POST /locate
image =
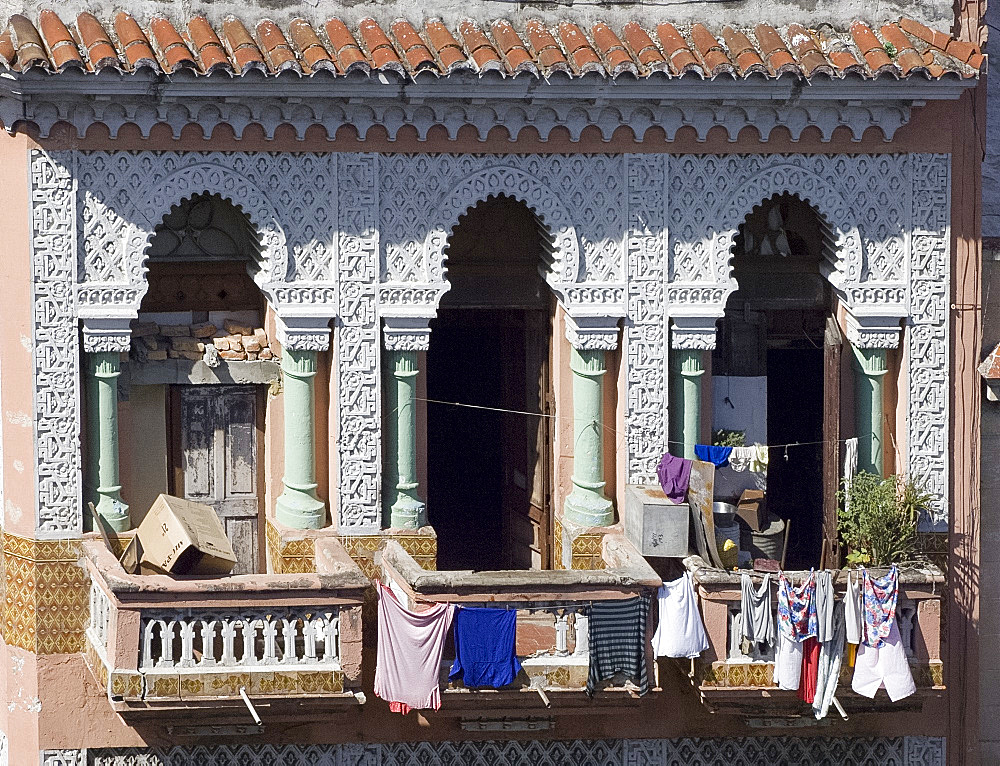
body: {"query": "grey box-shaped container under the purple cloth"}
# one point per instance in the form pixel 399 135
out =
pixel 653 524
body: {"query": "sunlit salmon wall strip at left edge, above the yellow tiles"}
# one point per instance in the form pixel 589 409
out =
pixel 16 389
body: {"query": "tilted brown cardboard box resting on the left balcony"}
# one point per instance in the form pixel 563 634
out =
pixel 183 537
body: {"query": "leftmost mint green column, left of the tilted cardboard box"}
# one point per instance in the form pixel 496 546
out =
pixel 103 369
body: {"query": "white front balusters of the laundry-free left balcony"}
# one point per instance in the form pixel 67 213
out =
pixel 195 639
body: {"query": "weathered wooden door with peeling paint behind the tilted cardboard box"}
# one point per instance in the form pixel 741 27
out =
pixel 216 449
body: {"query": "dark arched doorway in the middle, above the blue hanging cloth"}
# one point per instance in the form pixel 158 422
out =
pixel 489 469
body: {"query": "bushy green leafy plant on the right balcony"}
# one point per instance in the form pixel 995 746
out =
pixel 878 518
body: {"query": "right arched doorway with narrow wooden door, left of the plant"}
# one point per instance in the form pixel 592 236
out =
pixel 776 371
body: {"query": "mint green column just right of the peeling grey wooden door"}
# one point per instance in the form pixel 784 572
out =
pixel 298 506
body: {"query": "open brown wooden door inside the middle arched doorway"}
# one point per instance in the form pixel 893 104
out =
pixel 527 436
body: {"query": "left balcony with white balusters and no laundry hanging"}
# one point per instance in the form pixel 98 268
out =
pixel 160 645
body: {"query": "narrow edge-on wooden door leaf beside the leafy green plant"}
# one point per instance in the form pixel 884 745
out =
pixel 832 346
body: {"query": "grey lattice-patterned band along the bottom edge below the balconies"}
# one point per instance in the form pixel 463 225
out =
pixel 735 751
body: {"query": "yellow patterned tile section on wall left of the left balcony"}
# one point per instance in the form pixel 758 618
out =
pixel 46 598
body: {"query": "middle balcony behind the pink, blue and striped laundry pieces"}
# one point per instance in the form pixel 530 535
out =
pixel 552 607
